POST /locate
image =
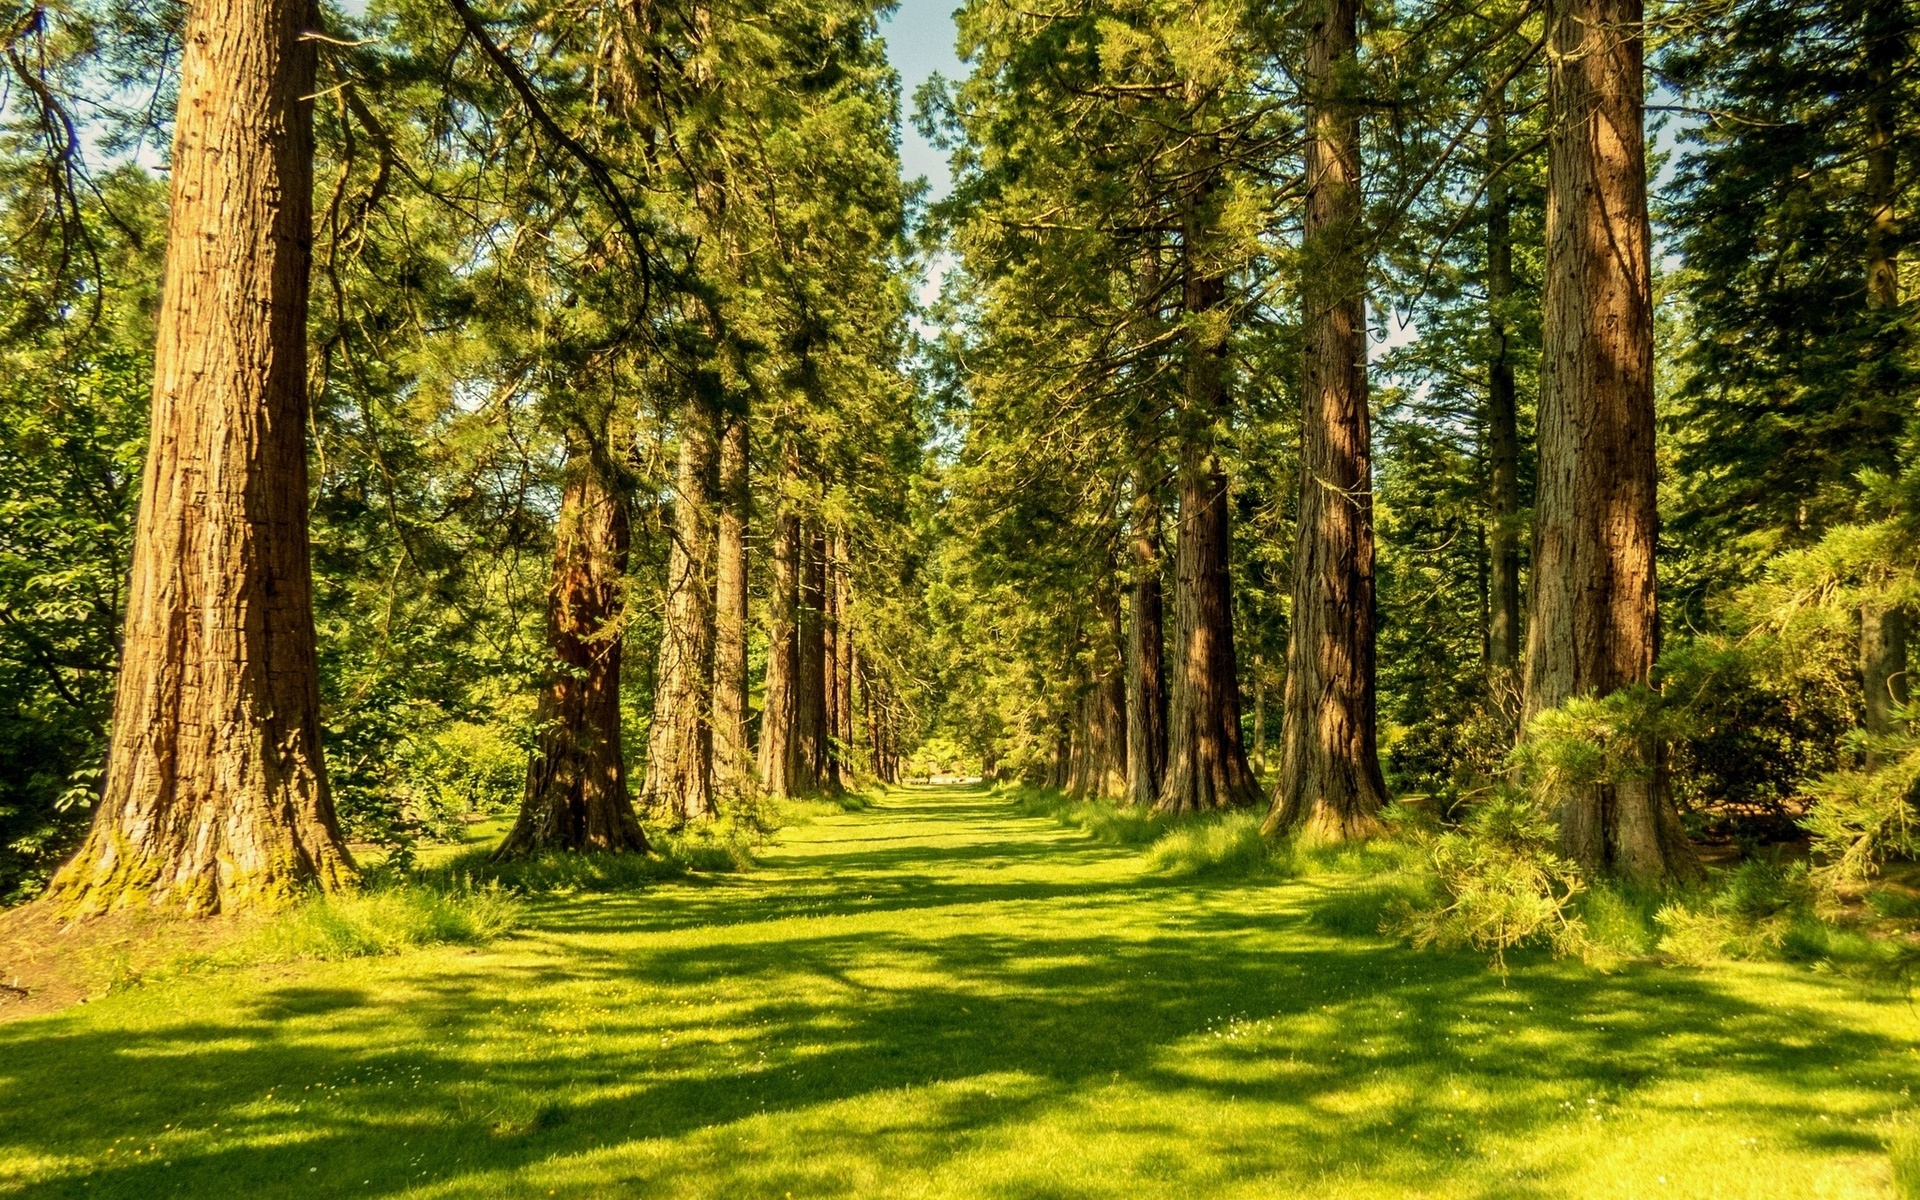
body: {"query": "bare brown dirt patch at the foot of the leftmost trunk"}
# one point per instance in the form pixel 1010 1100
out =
pixel 49 963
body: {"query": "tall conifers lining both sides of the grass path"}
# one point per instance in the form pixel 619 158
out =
pixel 535 408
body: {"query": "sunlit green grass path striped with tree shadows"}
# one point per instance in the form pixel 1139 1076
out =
pixel 944 997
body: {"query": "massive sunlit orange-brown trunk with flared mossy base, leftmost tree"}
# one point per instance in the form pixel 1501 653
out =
pixel 216 792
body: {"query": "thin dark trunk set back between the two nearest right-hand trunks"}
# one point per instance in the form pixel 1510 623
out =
pixel 1502 410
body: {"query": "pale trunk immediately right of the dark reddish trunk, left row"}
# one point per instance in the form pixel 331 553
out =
pixel 681 756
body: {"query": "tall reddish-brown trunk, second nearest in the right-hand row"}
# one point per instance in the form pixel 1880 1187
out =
pixel 1332 784
